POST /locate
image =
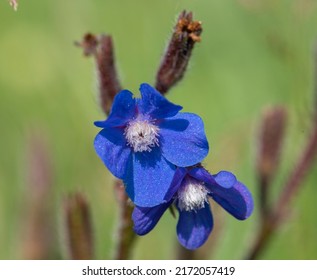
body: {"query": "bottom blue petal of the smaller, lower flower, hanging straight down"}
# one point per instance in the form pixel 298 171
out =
pixel 193 228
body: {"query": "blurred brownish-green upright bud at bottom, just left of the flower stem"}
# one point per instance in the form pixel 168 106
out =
pixel 78 227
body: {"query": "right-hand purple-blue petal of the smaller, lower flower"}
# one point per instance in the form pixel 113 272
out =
pixel 236 200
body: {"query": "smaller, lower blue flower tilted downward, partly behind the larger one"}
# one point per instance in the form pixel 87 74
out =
pixel 189 191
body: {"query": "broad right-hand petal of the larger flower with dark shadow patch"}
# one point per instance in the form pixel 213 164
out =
pixel 183 139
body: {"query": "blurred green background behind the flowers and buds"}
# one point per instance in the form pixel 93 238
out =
pixel 253 54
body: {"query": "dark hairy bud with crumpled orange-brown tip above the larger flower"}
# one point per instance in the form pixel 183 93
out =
pixel 175 60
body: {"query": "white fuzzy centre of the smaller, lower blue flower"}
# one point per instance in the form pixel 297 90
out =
pixel 192 195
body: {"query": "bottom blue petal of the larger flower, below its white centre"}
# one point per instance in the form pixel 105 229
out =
pixel 149 178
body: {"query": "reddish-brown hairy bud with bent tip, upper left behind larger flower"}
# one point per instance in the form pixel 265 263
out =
pixel 101 47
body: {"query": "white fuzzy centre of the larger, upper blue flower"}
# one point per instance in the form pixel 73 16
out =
pixel 142 135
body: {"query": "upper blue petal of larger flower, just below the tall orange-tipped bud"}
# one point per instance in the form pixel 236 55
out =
pixel 155 104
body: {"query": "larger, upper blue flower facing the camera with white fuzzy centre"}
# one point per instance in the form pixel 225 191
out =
pixel 144 138
